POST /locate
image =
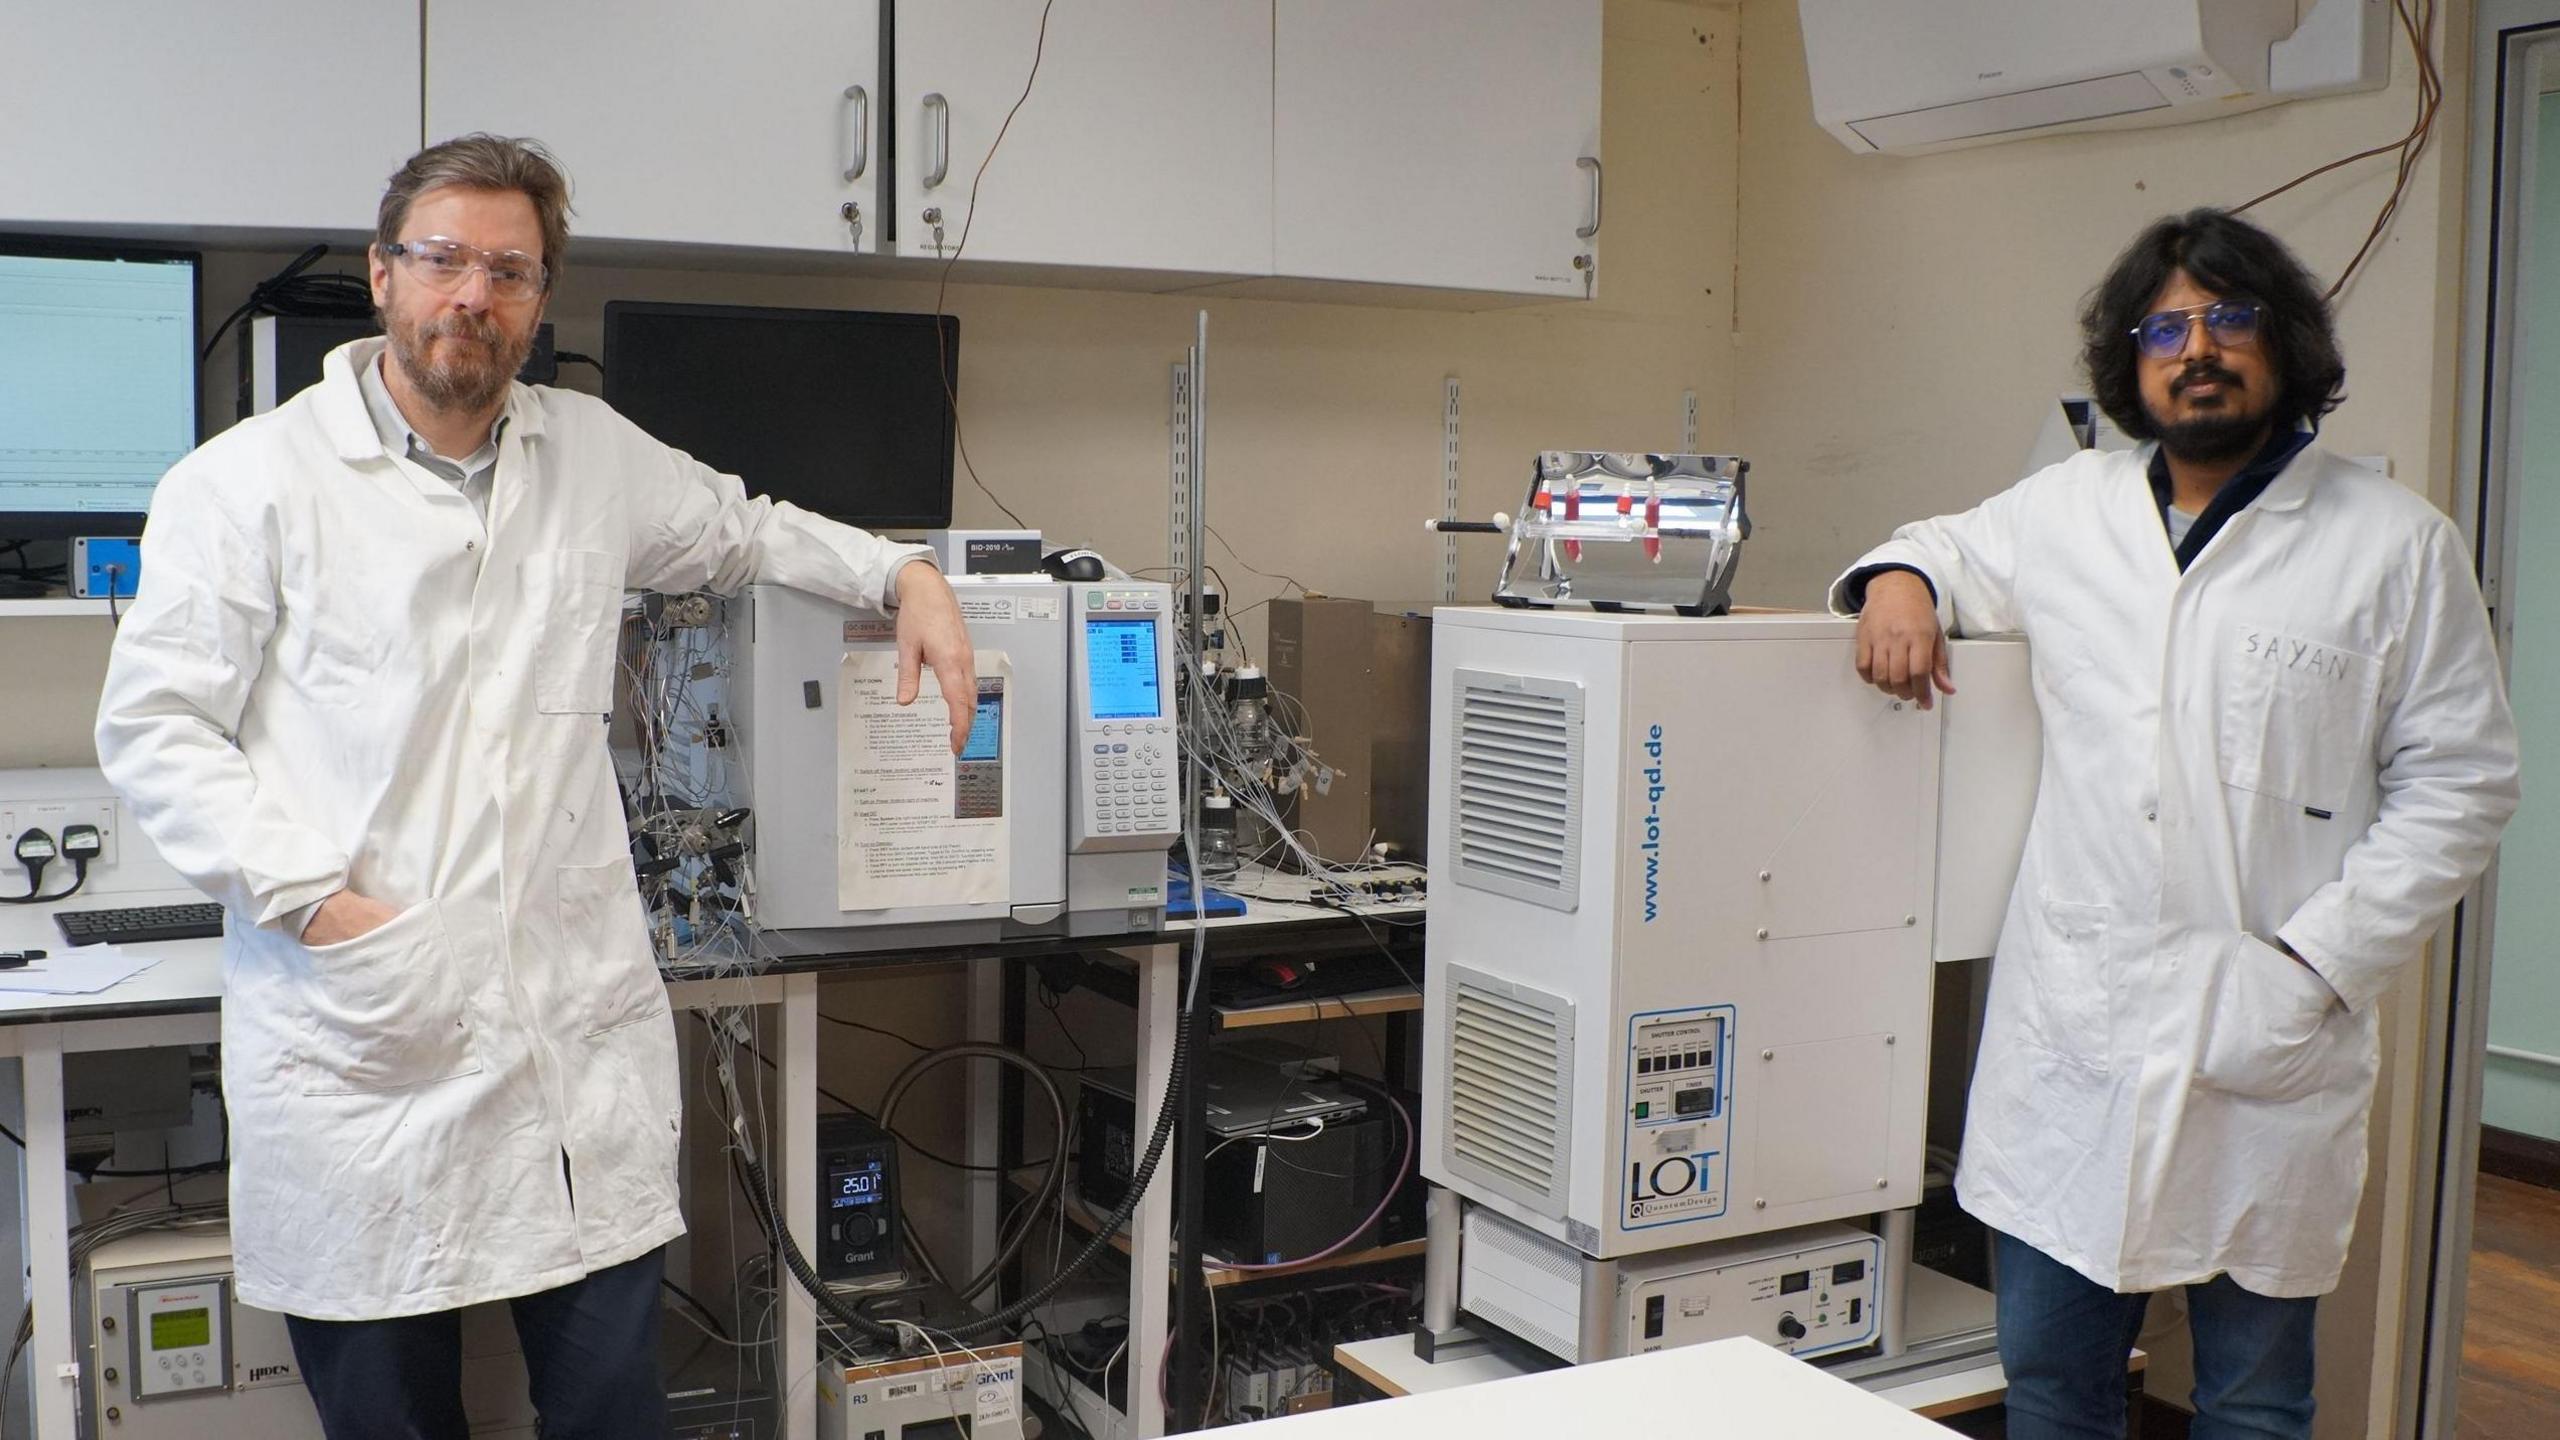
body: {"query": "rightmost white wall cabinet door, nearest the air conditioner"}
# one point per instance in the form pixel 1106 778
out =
pixel 1440 142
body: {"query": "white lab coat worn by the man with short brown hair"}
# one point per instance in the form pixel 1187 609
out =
pixel 337 678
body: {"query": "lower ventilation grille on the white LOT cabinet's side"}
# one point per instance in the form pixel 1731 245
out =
pixel 1509 1088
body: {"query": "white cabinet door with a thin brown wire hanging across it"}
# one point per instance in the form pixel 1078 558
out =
pixel 1146 142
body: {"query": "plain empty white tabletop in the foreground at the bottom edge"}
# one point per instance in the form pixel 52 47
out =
pixel 1729 1387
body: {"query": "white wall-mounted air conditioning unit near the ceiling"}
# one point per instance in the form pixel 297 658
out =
pixel 1911 78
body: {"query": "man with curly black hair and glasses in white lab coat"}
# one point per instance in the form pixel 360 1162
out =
pixel 2277 752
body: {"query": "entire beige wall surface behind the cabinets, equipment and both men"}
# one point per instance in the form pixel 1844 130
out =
pixel 1896 327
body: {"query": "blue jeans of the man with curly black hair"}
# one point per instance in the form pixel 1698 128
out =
pixel 2065 1344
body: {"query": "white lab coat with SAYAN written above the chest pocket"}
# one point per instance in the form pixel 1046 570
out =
pixel 2303 737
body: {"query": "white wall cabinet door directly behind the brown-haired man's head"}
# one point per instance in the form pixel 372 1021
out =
pixel 746 127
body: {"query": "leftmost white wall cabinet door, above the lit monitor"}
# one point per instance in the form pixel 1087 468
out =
pixel 252 114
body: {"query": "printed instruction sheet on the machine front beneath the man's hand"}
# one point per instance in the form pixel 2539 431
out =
pixel 918 826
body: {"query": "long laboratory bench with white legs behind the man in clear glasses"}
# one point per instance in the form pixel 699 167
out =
pixel 178 1003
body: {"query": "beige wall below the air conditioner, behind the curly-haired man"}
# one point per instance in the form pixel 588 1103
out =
pixel 1903 319
